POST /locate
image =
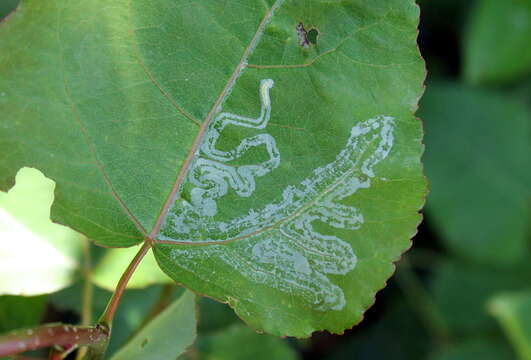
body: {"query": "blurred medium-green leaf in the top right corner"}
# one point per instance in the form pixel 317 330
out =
pixel 496 45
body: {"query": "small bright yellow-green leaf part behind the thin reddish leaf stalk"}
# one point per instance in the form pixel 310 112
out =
pixel 111 266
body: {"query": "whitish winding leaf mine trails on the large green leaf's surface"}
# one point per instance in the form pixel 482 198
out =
pixel 277 245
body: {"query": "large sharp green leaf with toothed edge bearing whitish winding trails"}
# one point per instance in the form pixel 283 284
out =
pixel 293 217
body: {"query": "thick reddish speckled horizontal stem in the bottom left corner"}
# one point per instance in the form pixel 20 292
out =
pixel 44 336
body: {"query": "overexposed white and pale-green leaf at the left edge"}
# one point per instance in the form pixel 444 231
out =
pixel 44 256
